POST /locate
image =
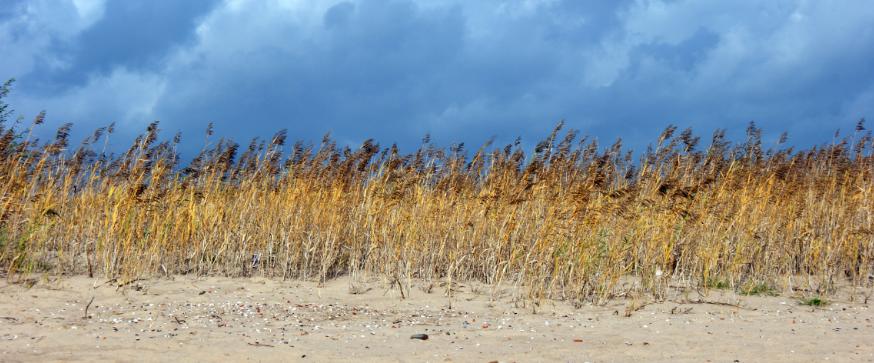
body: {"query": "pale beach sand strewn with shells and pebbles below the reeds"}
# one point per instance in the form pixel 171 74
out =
pixel 188 319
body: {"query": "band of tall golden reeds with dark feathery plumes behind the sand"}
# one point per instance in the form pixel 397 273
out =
pixel 571 220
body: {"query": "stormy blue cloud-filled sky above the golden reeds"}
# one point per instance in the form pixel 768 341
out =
pixel 459 70
